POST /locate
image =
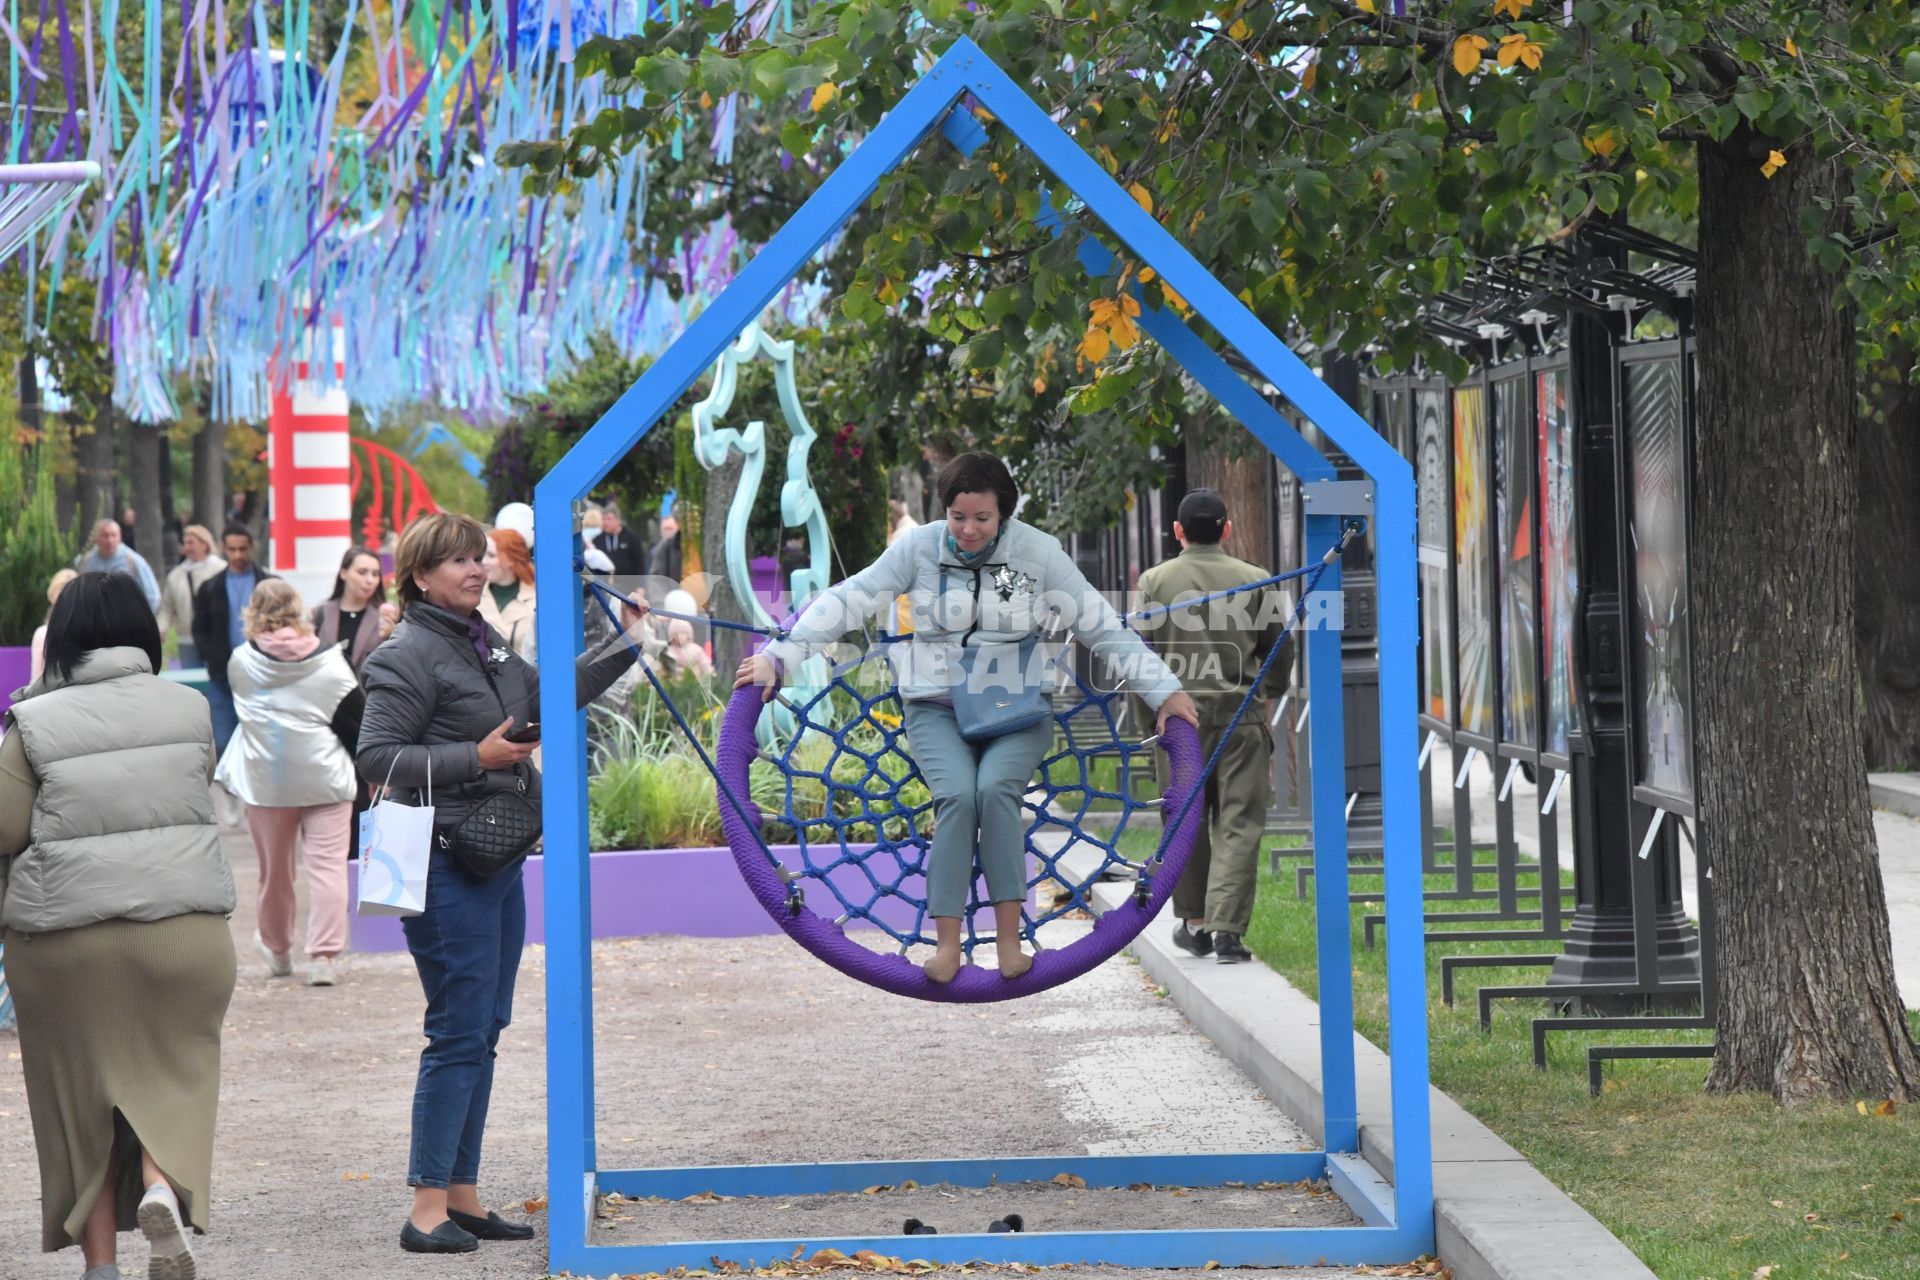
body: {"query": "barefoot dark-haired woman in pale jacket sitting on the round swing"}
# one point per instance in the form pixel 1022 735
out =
pixel 982 588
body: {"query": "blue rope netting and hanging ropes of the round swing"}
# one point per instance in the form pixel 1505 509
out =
pixel 846 794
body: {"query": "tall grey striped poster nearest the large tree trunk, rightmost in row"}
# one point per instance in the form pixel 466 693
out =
pixel 1664 669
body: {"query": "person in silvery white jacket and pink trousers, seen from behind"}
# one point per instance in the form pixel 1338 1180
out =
pixel 293 765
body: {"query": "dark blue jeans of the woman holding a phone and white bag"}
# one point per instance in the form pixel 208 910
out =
pixel 468 949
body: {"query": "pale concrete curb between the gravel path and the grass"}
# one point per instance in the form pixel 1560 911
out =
pixel 1497 1216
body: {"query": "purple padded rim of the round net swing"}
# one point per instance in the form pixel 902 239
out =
pixel 896 974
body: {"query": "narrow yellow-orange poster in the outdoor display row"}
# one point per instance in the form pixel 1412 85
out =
pixel 1474 563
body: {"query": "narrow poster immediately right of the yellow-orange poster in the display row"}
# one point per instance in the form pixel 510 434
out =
pixel 1514 515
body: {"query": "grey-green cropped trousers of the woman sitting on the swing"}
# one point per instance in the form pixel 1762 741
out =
pixel 976 794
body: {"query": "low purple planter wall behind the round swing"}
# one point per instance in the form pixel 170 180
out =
pixel 686 891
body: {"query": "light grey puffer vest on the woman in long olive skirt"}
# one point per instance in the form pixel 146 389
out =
pixel 124 820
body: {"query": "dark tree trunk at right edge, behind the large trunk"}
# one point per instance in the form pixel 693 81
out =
pixel 1886 573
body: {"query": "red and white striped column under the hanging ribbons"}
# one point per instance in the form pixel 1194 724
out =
pixel 310 465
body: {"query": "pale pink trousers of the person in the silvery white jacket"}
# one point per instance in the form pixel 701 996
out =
pixel 322 836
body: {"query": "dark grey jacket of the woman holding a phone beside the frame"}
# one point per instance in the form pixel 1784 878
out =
pixel 431 699
